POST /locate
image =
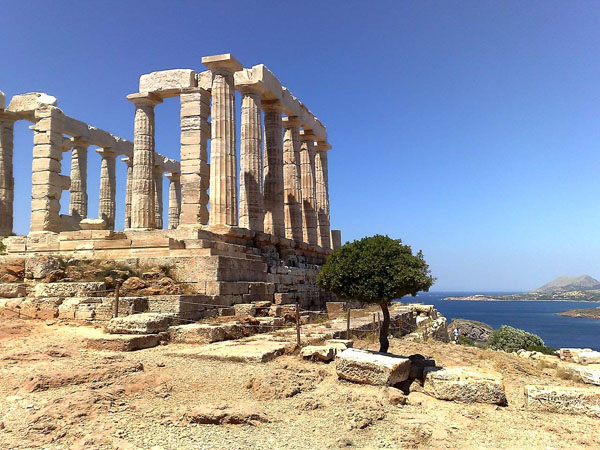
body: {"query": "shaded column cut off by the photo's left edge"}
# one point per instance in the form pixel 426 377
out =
pixel 7 182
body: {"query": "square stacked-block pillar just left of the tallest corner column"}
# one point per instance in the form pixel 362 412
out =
pixel 195 173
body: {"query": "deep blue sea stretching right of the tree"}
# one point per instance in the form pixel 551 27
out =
pixel 537 317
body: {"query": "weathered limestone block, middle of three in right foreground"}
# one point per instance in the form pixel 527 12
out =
pixel 464 384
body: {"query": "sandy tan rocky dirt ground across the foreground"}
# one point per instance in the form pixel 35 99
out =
pixel 56 394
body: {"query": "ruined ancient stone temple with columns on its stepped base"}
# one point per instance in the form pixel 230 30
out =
pixel 233 234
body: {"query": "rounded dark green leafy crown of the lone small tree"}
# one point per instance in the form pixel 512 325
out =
pixel 375 269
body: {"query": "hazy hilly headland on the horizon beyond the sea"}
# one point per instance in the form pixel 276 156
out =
pixel 582 288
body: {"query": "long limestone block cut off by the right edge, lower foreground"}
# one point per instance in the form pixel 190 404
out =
pixel 561 399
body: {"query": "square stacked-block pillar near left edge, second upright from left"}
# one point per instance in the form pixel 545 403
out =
pixel 47 182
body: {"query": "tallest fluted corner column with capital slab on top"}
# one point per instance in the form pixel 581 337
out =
pixel 223 172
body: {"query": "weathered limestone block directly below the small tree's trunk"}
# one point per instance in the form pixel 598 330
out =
pixel 369 367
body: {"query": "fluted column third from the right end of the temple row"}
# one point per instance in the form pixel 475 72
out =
pixel 292 193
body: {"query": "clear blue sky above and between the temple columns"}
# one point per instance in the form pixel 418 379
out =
pixel 470 129
